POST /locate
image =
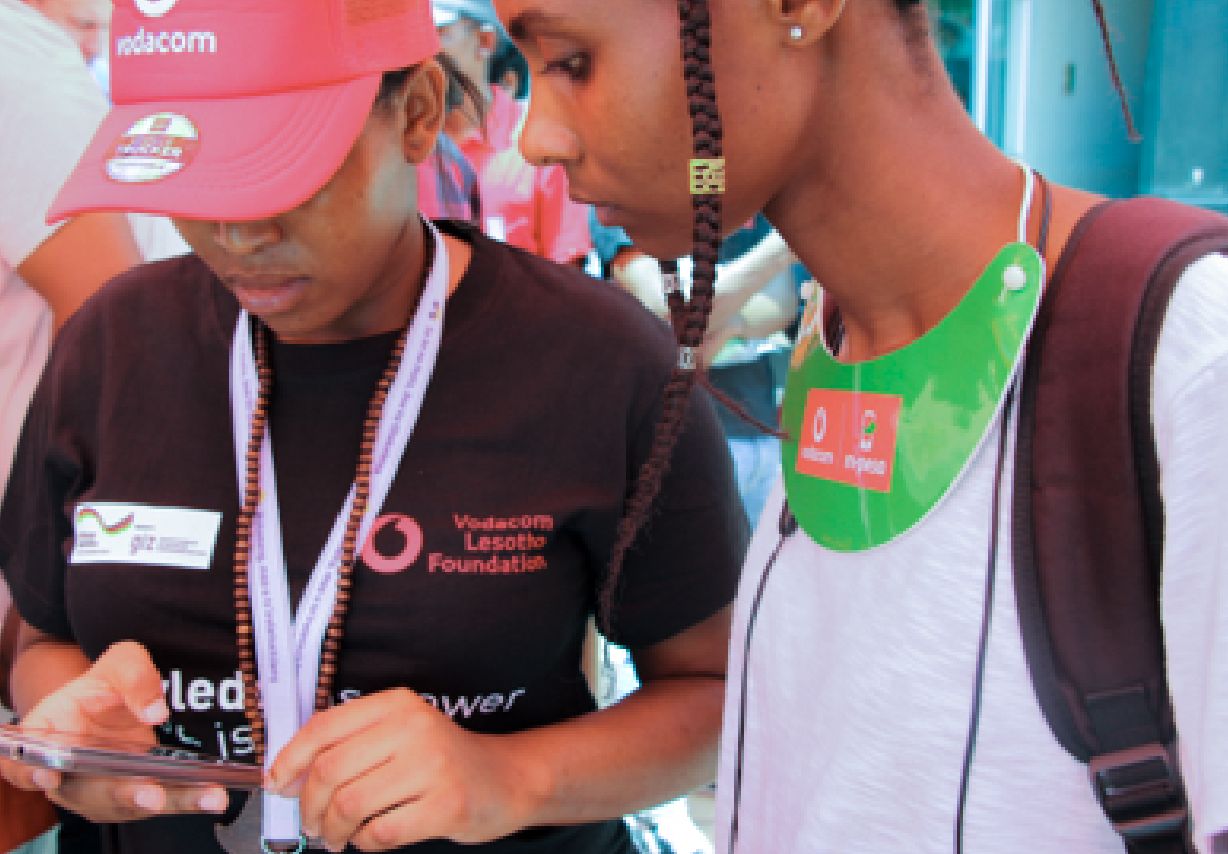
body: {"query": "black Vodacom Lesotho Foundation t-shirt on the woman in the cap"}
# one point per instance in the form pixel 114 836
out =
pixel 537 418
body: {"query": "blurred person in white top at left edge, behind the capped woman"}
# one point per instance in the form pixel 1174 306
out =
pixel 50 106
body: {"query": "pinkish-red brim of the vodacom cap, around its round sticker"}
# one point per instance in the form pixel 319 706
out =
pixel 254 157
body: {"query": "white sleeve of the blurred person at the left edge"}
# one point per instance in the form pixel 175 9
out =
pixel 50 109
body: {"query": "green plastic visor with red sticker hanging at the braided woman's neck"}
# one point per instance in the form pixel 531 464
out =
pixel 875 447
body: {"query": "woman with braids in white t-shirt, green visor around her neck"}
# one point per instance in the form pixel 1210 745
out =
pixel 854 699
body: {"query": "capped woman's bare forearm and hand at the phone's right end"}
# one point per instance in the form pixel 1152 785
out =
pixel 389 770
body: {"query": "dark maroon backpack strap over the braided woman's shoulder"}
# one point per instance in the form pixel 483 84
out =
pixel 1089 525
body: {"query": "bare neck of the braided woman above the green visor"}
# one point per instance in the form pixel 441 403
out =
pixel 898 212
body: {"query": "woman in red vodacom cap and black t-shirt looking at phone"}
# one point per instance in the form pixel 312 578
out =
pixel 340 492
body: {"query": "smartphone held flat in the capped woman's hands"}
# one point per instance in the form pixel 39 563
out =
pixel 90 755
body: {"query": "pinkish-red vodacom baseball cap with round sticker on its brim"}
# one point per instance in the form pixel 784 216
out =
pixel 239 110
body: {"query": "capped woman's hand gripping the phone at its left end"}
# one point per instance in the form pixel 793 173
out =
pixel 120 697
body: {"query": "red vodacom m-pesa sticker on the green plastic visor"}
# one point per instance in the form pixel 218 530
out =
pixel 849 438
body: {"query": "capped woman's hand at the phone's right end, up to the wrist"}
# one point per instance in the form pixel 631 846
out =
pixel 389 770
